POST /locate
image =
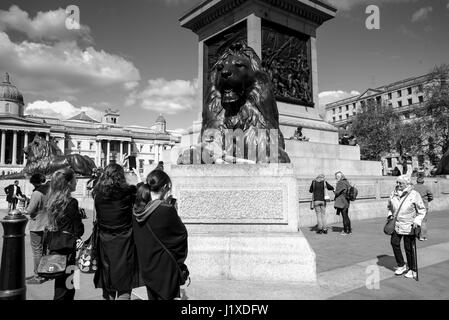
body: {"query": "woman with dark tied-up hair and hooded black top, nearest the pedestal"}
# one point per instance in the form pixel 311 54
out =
pixel 160 272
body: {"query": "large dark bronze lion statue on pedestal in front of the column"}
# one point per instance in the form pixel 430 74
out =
pixel 240 116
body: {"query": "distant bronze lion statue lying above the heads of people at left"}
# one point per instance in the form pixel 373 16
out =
pixel 45 157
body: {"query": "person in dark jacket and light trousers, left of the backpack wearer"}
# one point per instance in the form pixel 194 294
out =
pixel 319 198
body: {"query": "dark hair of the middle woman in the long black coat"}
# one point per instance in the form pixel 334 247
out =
pixel 111 183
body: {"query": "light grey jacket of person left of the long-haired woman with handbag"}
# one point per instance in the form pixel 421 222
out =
pixel 38 215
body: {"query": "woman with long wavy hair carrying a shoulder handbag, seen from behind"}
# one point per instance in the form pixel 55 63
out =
pixel 65 222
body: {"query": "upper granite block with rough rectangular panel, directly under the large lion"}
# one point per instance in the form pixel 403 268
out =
pixel 237 197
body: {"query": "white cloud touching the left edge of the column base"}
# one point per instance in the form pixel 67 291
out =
pixel 165 96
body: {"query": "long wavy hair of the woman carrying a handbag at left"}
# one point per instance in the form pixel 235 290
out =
pixel 60 194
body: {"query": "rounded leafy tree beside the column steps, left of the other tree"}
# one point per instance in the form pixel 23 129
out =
pixel 374 127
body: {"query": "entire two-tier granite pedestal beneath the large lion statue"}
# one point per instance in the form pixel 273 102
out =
pixel 243 222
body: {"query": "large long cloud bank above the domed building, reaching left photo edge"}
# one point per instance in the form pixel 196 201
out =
pixel 64 68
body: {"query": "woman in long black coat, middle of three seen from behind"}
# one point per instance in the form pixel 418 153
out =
pixel 117 272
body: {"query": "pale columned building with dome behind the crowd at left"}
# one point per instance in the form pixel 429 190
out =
pixel 102 141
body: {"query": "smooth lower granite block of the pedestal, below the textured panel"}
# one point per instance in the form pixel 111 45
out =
pixel 251 256
